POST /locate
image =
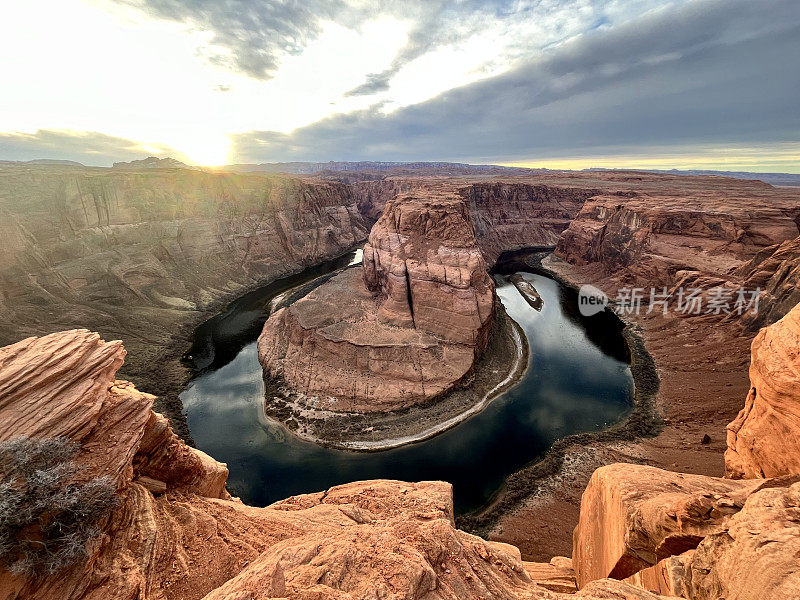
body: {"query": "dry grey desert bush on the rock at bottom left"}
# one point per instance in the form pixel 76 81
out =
pixel 46 518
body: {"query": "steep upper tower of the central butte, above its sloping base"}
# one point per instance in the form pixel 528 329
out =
pixel 423 260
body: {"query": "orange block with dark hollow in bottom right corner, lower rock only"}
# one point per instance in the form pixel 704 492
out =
pixel 691 536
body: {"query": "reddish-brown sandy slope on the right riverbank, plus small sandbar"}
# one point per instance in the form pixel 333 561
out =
pixel 703 370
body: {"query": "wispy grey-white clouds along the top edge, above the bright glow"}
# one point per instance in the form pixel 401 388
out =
pixel 252 36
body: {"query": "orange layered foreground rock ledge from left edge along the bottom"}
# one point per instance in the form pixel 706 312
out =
pixel 185 539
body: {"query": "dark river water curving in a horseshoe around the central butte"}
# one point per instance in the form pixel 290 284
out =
pixel 578 380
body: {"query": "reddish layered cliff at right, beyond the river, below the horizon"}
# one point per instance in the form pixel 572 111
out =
pixel 651 235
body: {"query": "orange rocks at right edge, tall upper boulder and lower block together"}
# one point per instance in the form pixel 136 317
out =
pixel 701 537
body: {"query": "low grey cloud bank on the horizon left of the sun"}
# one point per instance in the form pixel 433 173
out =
pixel 89 148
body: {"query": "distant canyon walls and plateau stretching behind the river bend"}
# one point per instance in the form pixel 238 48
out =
pixel 144 252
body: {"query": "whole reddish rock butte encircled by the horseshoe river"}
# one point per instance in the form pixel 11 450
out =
pixel 403 329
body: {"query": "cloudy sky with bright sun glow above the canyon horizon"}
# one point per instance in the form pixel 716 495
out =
pixel 554 83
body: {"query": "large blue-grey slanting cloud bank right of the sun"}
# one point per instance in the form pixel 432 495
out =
pixel 711 71
